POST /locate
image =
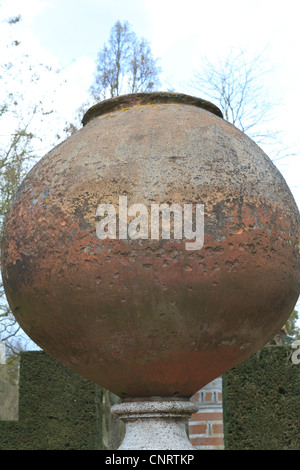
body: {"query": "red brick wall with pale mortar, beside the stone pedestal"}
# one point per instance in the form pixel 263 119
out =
pixel 206 426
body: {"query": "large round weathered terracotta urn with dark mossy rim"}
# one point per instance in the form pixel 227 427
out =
pixel 154 249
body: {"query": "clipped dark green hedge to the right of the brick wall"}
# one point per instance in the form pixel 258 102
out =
pixel 261 402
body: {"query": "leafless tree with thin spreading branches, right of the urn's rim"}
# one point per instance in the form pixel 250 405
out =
pixel 237 85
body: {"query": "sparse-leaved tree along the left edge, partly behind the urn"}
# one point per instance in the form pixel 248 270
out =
pixel 20 114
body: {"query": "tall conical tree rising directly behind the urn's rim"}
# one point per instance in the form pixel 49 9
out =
pixel 125 65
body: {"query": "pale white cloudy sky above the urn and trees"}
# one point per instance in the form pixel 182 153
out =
pixel 69 33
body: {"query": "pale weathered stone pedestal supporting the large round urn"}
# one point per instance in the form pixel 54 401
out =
pixel 158 424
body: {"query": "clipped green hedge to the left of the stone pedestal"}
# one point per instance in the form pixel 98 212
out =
pixel 58 409
